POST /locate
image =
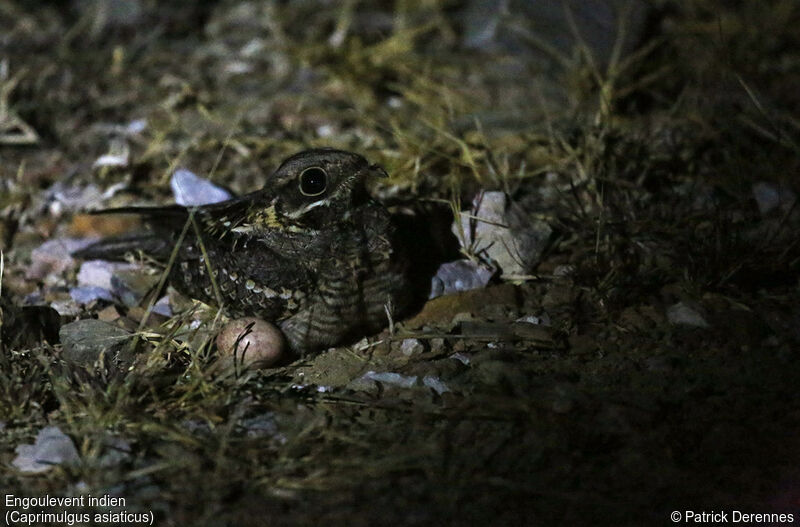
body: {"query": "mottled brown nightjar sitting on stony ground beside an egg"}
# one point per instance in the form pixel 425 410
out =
pixel 311 251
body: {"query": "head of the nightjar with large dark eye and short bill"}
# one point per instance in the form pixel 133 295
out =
pixel 317 187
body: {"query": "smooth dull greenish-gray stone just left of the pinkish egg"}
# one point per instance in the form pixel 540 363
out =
pixel 85 341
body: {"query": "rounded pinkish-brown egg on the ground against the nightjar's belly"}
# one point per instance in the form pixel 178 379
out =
pixel 252 342
